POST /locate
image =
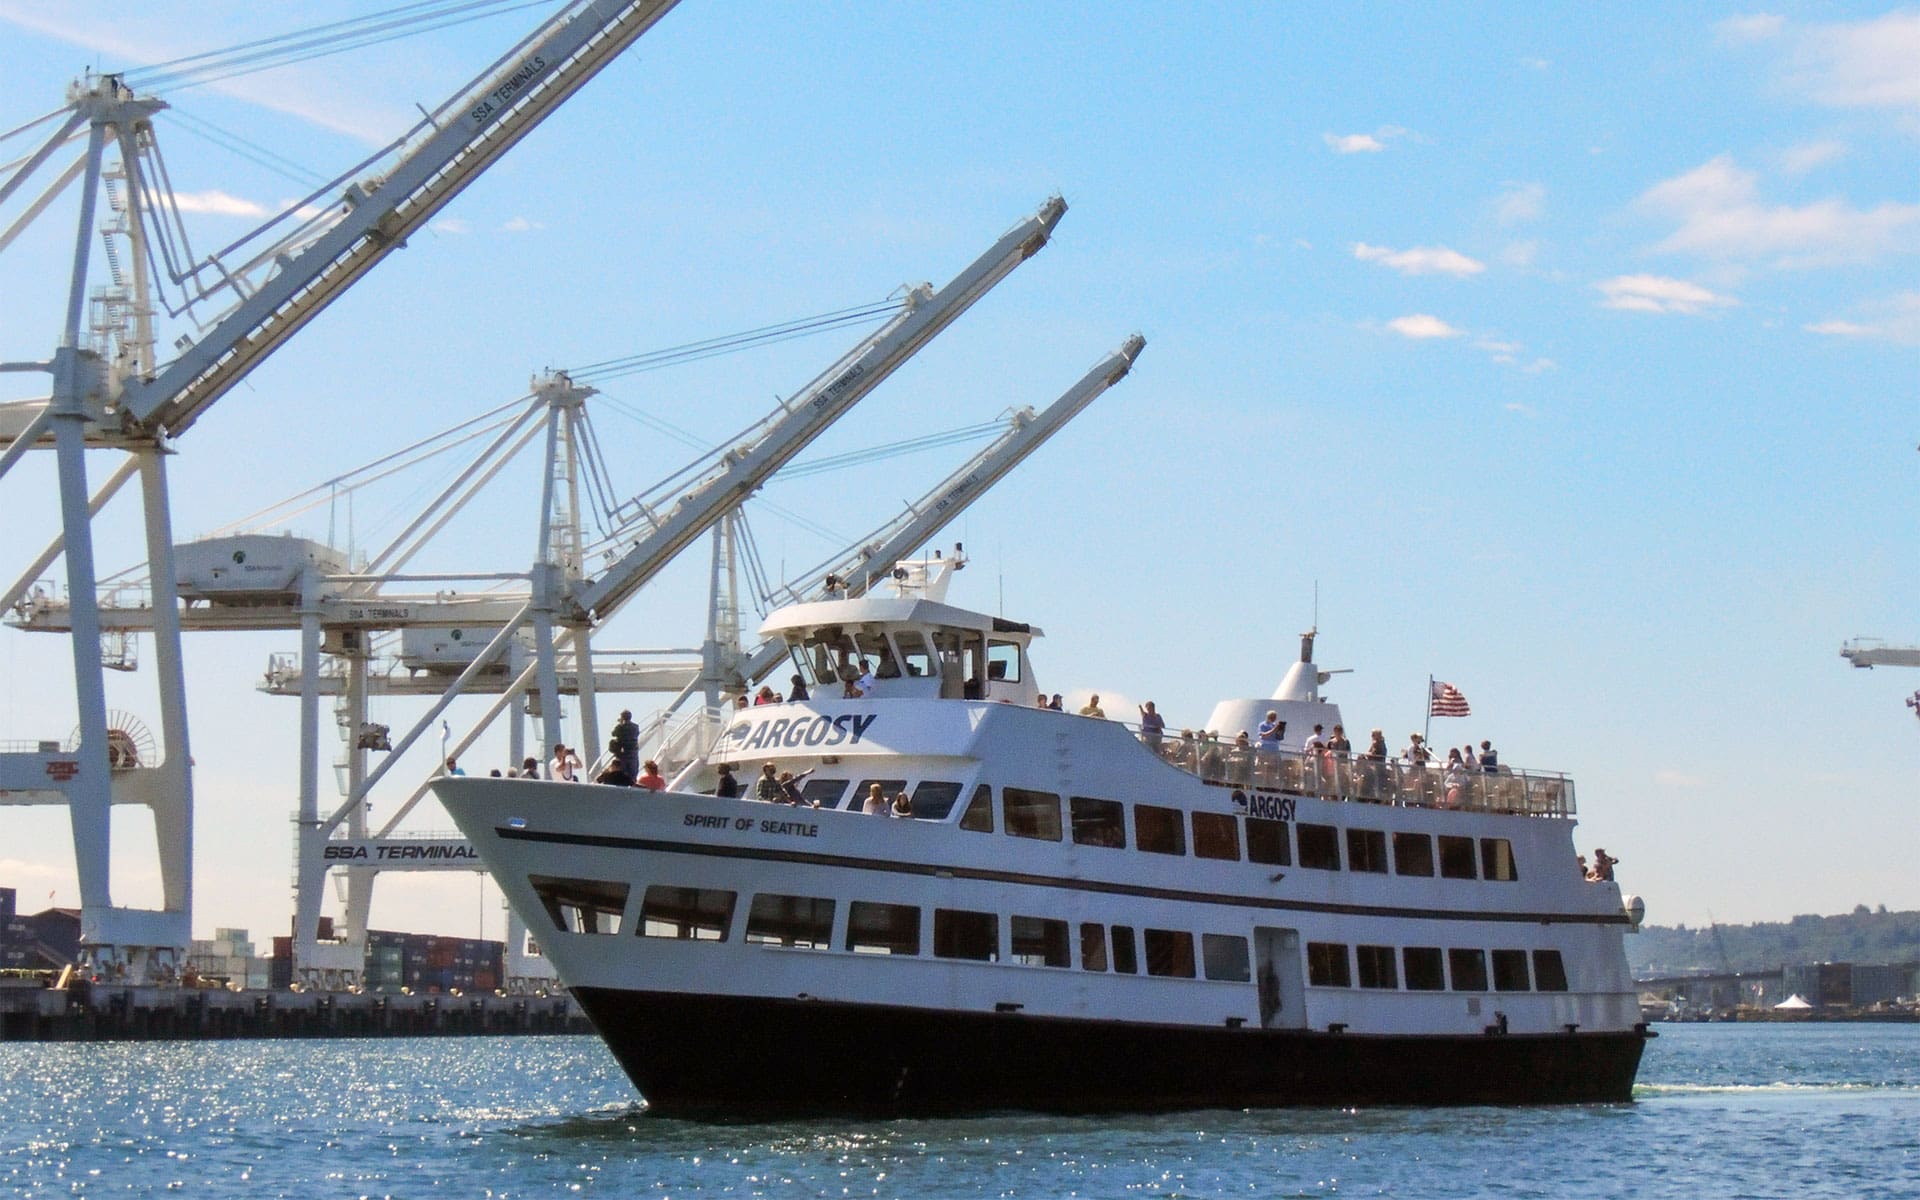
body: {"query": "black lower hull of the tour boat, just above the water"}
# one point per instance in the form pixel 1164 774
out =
pixel 736 1057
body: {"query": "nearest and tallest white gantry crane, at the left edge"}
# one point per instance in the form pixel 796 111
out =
pixel 108 389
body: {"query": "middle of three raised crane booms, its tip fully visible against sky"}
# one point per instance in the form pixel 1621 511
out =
pixel 811 412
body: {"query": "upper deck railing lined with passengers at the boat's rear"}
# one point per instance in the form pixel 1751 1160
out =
pixel 1368 780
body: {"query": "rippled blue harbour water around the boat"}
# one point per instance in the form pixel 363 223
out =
pixel 1721 1111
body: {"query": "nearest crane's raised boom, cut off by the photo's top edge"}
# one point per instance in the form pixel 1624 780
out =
pixel 473 130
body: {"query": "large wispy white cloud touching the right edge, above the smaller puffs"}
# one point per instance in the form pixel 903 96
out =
pixel 1721 218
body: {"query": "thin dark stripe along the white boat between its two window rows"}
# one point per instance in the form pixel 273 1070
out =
pixel 1059 882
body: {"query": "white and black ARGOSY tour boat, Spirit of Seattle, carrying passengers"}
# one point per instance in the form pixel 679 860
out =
pixel 1076 913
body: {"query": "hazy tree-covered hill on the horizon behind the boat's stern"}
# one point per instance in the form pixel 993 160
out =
pixel 1860 936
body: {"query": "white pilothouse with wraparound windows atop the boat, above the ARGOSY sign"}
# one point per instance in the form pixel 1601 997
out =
pixel 907 644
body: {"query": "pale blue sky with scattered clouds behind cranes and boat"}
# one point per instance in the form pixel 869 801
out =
pixel 1570 352
